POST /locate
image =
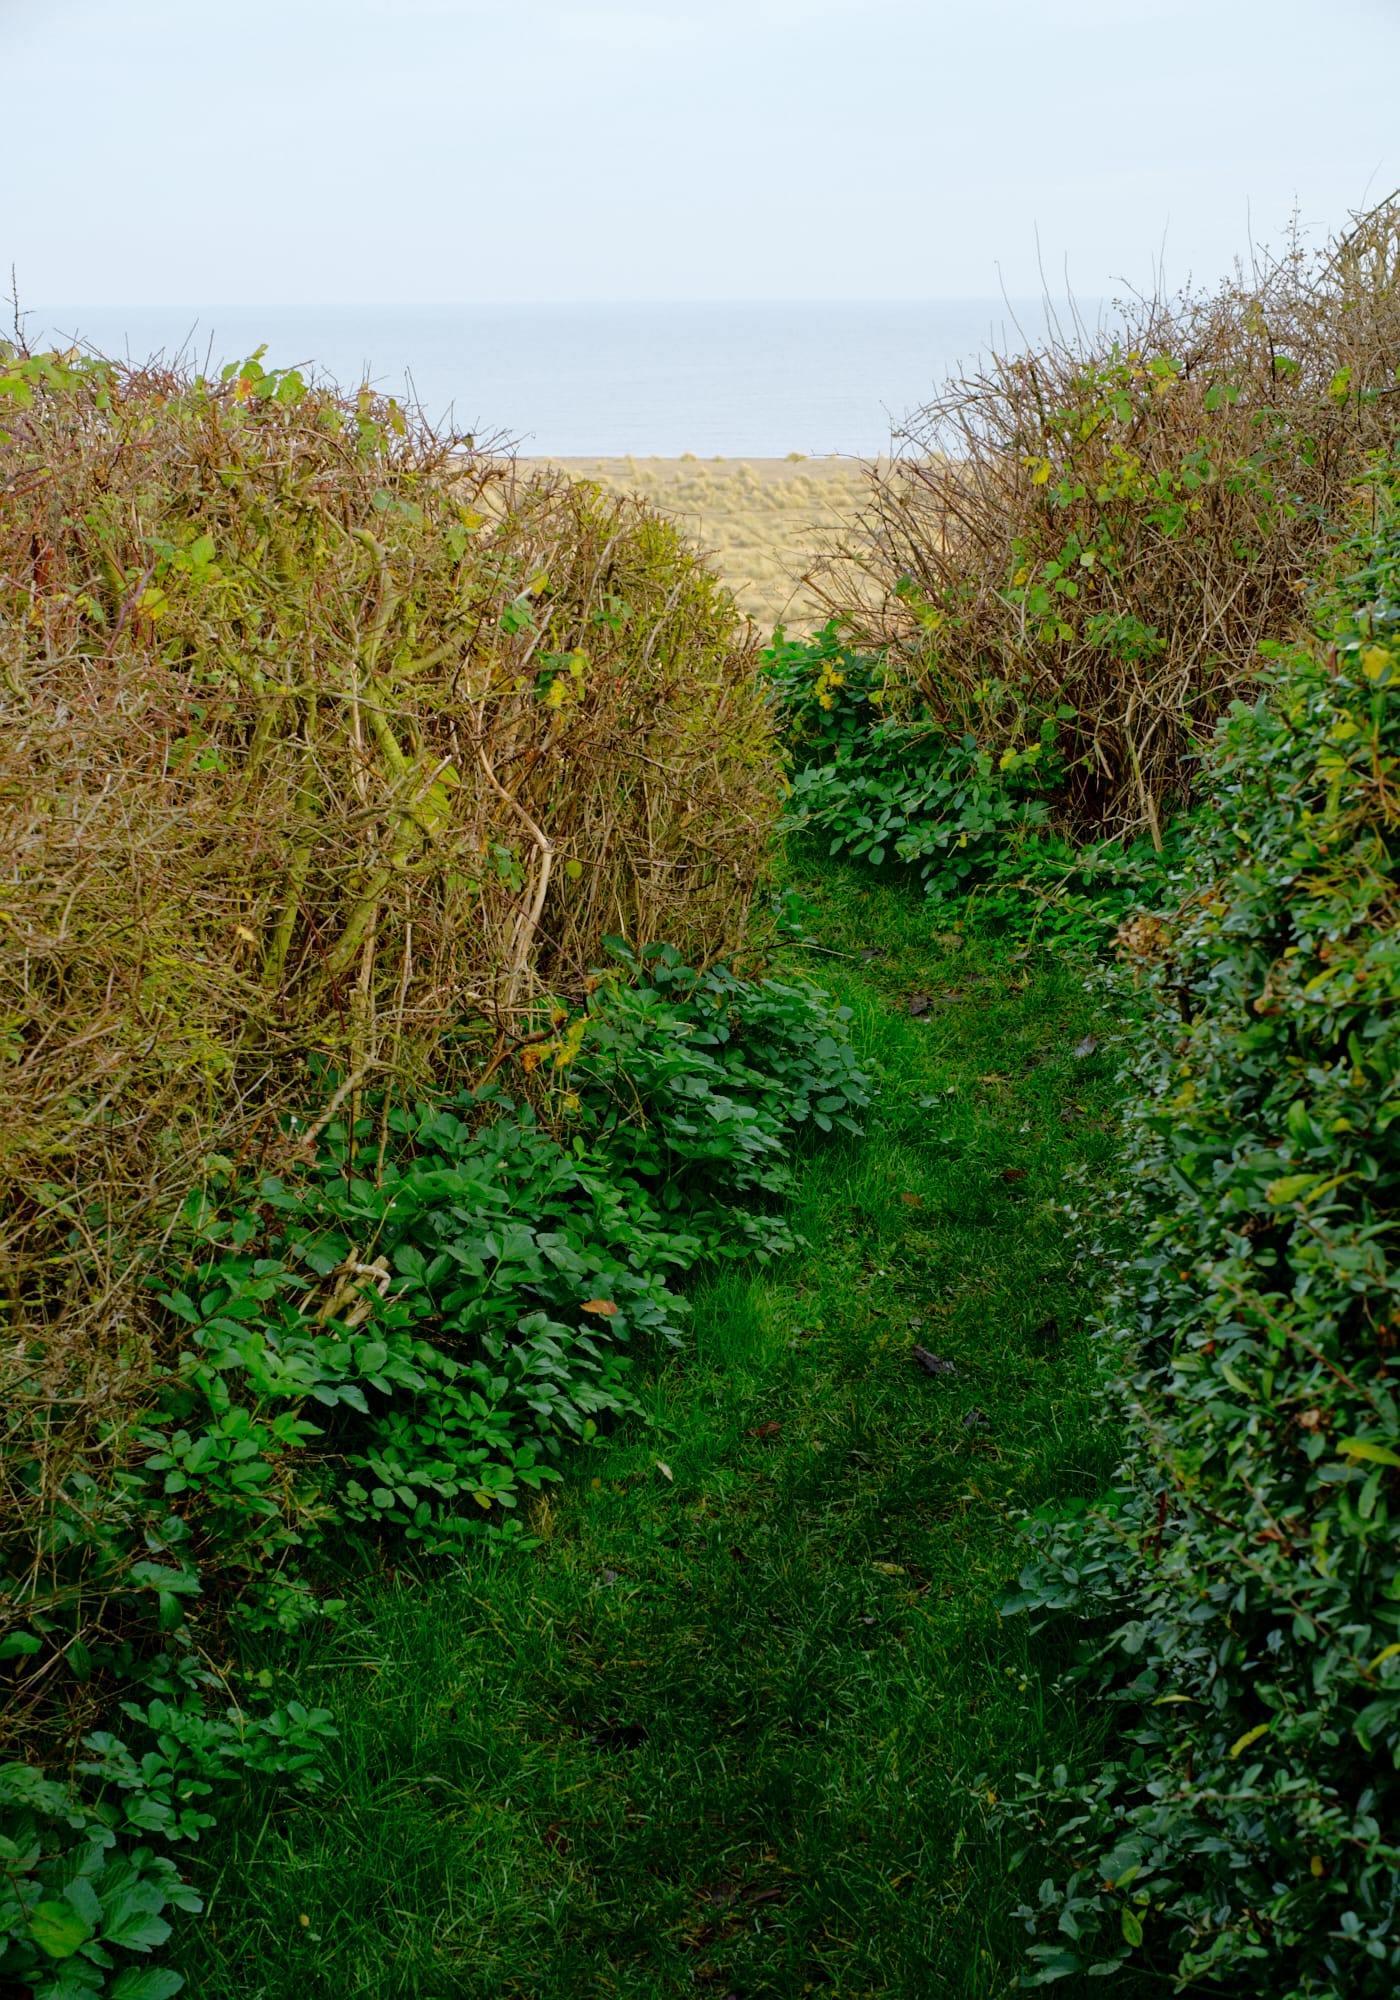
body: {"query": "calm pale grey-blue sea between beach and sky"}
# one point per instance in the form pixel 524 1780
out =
pixel 577 381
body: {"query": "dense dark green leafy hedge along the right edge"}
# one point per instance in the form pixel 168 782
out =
pixel 1241 1591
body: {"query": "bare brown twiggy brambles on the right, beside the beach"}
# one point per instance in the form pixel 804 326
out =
pixel 1103 533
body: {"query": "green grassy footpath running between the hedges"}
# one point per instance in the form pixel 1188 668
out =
pixel 735 1725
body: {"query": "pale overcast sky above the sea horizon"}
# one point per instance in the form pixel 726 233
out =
pixel 495 151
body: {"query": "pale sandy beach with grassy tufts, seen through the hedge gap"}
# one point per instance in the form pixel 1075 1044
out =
pixel 761 519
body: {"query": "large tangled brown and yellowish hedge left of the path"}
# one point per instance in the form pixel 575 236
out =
pixel 325 751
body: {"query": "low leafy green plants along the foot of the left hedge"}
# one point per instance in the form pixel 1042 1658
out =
pixel 401 1335
